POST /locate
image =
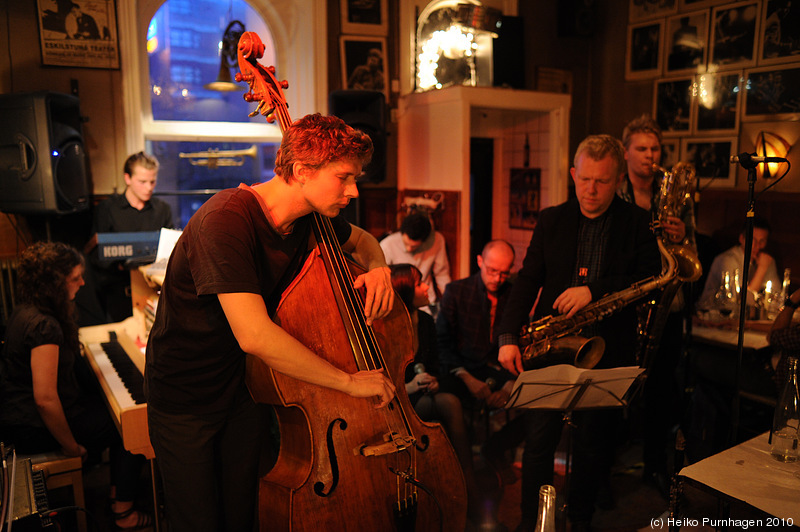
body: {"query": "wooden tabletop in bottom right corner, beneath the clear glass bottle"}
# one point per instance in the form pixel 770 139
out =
pixel 748 473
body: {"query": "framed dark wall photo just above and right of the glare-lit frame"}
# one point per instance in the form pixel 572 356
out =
pixel 733 35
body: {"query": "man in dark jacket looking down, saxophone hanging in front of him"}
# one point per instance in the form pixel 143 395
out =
pixel 581 250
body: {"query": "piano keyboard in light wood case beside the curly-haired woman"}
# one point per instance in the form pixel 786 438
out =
pixel 118 365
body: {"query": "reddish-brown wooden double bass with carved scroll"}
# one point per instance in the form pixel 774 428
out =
pixel 342 464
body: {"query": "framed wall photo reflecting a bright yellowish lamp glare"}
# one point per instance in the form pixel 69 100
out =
pixel 717 111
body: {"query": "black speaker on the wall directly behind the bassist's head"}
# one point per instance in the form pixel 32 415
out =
pixel 365 110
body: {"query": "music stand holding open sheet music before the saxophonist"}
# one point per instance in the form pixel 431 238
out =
pixel 567 388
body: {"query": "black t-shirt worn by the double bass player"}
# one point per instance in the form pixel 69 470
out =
pixel 194 363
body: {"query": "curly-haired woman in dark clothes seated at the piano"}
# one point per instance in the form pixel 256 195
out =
pixel 43 405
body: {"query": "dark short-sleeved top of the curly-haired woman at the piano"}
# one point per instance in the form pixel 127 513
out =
pixel 29 328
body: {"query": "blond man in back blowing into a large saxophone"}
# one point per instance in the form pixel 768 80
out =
pixel 642 186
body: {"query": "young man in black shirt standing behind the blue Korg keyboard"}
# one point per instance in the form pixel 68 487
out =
pixel 134 210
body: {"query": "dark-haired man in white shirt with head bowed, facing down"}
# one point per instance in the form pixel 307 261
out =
pixel 416 243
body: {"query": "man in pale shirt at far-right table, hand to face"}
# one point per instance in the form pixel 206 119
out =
pixel 762 265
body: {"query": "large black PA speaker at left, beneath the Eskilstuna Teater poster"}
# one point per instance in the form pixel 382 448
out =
pixel 42 159
